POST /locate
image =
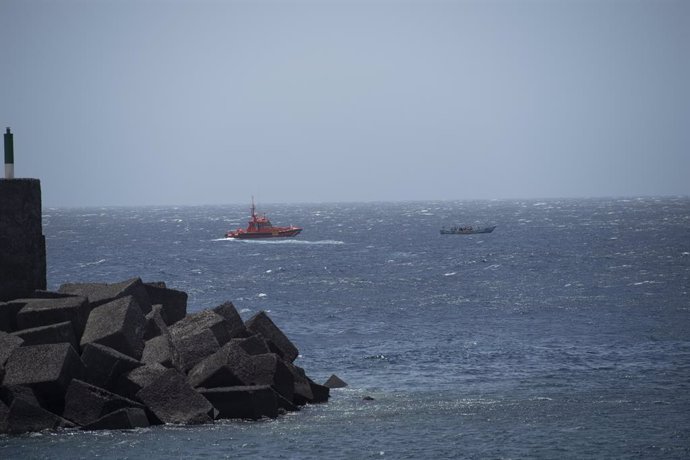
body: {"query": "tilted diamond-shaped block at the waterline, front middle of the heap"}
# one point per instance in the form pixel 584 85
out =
pixel 172 400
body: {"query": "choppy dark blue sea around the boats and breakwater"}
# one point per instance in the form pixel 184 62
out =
pixel 565 333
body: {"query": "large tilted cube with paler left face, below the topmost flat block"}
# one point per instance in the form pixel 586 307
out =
pixel 119 325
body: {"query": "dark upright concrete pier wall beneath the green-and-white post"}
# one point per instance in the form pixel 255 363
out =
pixel 22 244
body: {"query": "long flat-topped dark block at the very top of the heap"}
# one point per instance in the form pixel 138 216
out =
pixel 102 293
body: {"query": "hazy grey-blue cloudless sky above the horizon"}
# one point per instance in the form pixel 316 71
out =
pixel 190 102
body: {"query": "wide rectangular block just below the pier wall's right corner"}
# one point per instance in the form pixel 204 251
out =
pixel 43 312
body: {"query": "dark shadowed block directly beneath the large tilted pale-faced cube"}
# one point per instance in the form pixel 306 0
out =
pixel 104 365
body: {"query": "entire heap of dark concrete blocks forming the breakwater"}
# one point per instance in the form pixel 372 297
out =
pixel 103 356
